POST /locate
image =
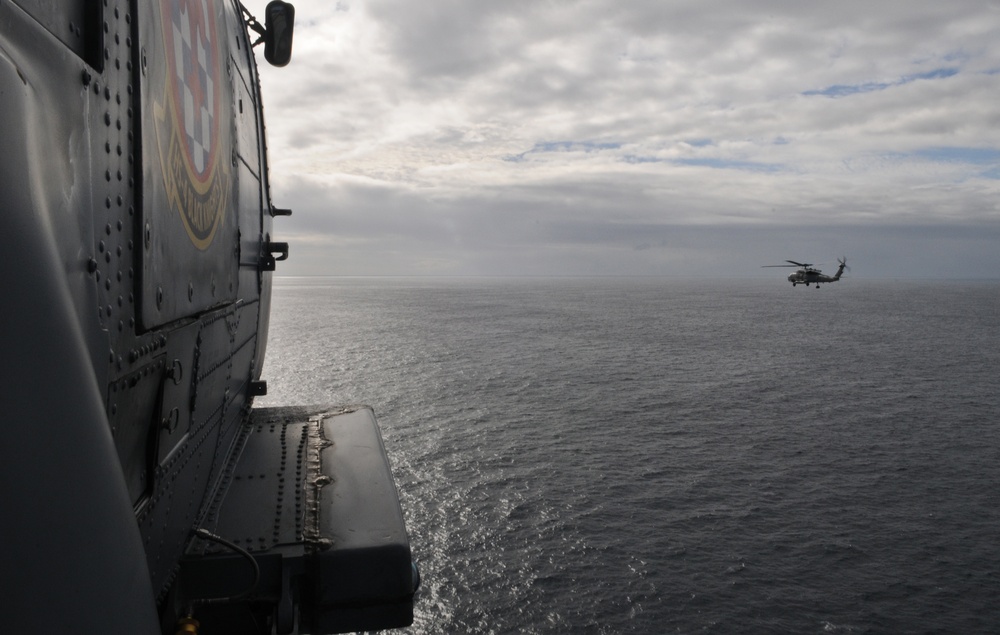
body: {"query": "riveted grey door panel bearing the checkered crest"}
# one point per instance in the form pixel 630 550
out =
pixel 190 233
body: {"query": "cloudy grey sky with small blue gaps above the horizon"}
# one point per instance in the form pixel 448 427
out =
pixel 658 137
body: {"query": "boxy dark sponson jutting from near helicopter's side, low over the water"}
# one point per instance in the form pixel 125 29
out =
pixel 313 500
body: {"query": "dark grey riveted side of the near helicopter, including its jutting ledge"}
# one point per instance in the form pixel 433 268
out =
pixel 134 306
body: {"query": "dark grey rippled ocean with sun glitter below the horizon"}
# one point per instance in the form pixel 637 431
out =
pixel 657 455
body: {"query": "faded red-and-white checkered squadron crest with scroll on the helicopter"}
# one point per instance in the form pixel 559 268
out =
pixel 192 127
